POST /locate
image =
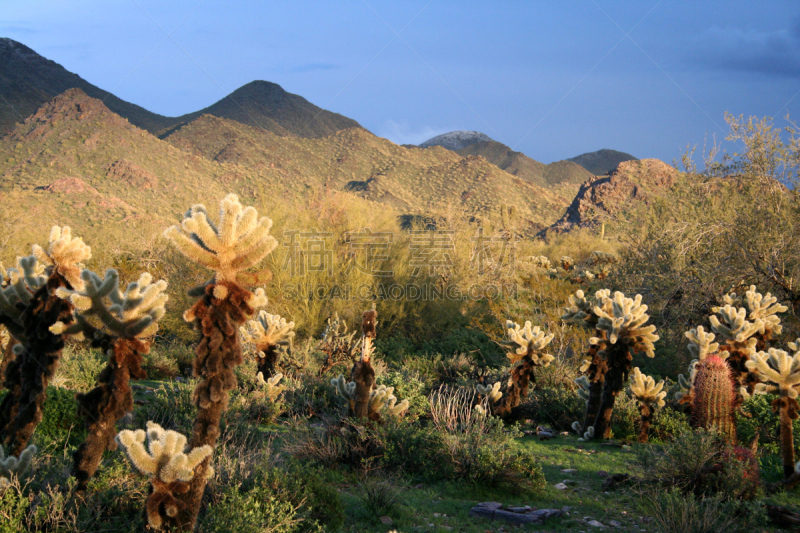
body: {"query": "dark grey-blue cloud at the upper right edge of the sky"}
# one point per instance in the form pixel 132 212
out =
pixel 773 53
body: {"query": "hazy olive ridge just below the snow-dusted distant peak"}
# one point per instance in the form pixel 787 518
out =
pixel 563 177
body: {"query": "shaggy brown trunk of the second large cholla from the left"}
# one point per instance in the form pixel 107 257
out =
pixel 104 405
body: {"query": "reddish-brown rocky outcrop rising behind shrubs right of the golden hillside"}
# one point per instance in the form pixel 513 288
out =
pixel 604 197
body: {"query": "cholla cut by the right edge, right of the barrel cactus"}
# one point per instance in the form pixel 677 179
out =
pixel 779 373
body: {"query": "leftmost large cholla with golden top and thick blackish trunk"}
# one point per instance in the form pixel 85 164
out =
pixel 39 351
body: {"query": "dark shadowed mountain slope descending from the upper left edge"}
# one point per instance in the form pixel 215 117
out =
pixel 28 81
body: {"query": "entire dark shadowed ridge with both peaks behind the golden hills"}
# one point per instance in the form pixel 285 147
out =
pixel 28 81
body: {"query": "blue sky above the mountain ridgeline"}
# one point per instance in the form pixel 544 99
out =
pixel 550 79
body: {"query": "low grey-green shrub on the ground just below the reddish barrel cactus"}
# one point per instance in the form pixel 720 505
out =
pixel 701 463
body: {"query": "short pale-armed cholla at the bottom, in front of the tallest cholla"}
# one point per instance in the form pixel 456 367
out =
pixel 168 466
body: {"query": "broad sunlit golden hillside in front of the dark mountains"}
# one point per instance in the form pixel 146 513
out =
pixel 75 162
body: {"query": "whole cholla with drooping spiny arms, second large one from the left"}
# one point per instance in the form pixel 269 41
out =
pixel 122 324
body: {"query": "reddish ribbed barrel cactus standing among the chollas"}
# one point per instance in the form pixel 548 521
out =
pixel 713 397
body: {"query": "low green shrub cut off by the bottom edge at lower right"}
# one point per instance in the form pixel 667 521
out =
pixel 676 512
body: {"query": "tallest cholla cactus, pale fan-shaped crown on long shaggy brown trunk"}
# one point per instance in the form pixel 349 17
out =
pixel 240 242
